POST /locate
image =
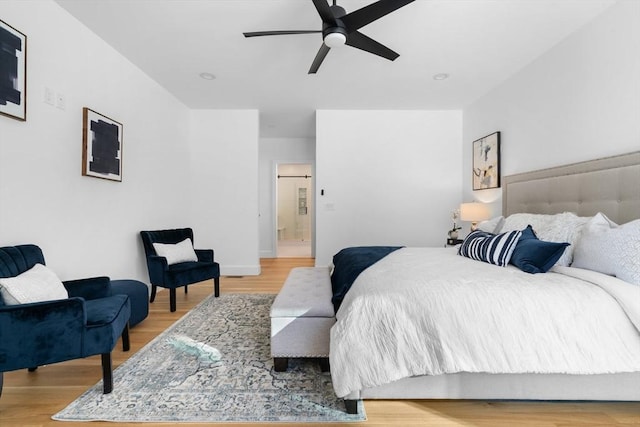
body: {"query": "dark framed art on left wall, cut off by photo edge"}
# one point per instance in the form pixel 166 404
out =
pixel 13 72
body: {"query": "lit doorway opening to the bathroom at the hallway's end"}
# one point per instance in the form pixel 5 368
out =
pixel 294 210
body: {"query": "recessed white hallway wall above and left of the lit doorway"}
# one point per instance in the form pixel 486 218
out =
pixel 273 151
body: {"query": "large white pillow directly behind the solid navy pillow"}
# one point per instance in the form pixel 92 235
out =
pixel 559 228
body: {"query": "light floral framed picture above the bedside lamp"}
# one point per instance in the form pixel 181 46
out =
pixel 486 162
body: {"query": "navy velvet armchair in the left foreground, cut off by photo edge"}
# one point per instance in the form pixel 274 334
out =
pixel 88 323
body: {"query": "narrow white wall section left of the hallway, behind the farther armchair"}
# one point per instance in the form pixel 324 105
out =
pixel 224 187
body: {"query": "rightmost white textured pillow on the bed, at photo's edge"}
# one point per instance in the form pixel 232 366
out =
pixel 609 248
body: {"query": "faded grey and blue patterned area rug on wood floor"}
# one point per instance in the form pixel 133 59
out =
pixel 214 365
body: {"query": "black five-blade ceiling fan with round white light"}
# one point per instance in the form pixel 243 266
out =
pixel 339 27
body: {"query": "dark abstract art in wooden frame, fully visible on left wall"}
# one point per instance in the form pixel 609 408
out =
pixel 101 146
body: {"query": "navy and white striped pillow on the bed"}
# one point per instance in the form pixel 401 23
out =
pixel 488 247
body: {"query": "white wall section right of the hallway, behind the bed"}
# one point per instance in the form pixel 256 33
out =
pixel 389 178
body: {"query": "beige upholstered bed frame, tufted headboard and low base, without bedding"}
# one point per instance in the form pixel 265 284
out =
pixel 609 185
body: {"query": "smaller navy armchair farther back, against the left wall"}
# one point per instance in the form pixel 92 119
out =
pixel 181 274
